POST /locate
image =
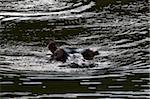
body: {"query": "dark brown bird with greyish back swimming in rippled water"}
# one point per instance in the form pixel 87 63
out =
pixel 62 54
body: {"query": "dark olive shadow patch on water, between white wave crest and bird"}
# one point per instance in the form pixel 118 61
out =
pixel 31 31
